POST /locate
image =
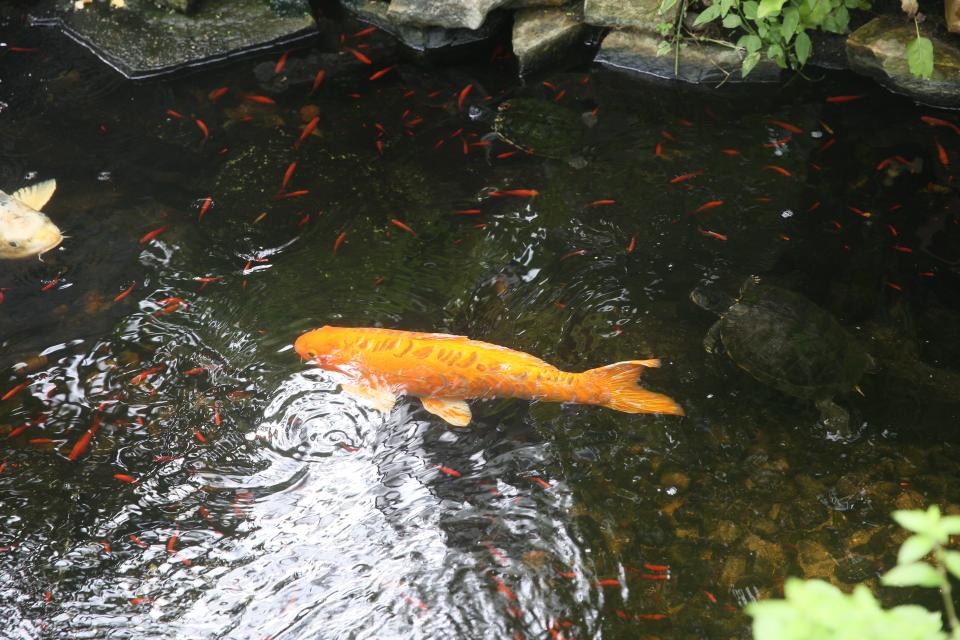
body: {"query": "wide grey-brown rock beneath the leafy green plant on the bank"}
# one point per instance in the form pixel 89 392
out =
pixel 636 51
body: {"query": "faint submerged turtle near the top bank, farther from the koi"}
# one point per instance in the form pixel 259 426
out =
pixel 543 128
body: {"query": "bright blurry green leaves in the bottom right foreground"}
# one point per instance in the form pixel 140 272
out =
pixel 817 610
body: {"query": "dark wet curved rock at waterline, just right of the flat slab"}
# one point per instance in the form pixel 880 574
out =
pixel 418 37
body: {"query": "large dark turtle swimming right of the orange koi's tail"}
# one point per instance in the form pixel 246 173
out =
pixel 787 342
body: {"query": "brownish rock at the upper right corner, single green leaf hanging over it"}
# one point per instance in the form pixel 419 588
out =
pixel 877 50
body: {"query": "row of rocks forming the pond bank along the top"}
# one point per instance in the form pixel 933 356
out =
pixel 139 39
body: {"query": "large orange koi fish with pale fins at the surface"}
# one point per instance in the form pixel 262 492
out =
pixel 445 371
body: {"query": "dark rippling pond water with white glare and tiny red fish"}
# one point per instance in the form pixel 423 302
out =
pixel 230 491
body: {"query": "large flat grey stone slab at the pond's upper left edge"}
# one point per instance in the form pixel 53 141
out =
pixel 143 40
